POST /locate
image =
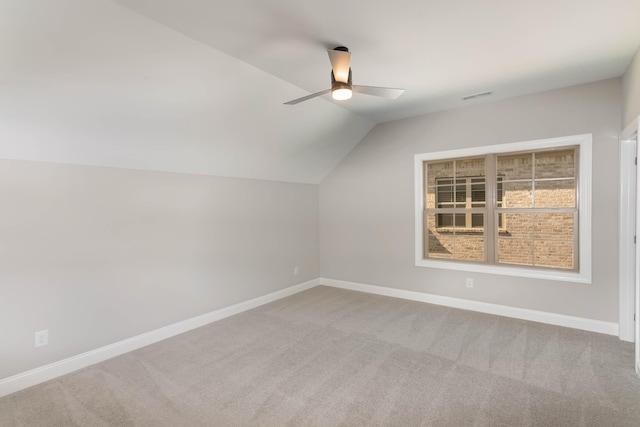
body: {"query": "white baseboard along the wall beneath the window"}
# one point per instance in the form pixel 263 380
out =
pixel 483 307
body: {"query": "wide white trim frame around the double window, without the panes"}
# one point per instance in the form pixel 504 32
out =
pixel 583 275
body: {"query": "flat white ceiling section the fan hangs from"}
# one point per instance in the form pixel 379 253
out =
pixel 438 50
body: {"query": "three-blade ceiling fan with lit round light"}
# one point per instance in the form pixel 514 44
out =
pixel 342 87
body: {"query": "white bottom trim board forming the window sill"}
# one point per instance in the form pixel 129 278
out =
pixel 504 270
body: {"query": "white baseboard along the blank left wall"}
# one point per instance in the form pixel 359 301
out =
pixel 48 372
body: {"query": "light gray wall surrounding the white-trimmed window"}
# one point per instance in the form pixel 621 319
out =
pixel 367 202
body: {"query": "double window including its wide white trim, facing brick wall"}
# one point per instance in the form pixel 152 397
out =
pixel 507 209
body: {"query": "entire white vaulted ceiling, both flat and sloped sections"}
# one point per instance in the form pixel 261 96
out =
pixel 197 86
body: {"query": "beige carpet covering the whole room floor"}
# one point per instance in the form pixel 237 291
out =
pixel 329 357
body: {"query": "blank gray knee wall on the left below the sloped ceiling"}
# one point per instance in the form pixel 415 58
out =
pixel 97 255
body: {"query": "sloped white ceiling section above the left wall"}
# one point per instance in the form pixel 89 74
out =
pixel 90 82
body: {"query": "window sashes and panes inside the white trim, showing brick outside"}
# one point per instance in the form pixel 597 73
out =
pixel 532 202
